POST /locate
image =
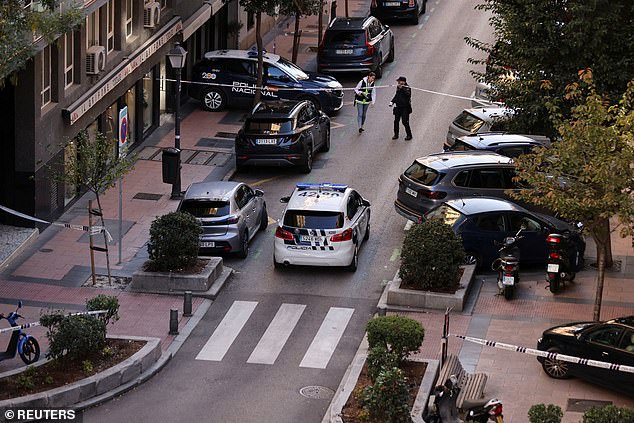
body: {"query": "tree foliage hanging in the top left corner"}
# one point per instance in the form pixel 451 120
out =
pixel 48 18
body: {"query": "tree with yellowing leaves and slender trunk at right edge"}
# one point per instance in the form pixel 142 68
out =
pixel 588 175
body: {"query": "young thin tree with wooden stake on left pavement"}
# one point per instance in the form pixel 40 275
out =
pixel 95 167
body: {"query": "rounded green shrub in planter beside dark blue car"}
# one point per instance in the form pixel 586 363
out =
pixel 431 256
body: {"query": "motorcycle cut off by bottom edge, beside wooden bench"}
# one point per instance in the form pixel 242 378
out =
pixel 442 408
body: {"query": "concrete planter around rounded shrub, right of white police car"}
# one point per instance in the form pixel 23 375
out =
pixel 397 296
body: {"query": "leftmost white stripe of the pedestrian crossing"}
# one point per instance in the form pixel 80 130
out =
pixel 227 331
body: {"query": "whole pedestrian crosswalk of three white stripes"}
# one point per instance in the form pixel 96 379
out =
pixel 277 334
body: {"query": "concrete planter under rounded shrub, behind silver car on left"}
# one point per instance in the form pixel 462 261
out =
pixel 165 282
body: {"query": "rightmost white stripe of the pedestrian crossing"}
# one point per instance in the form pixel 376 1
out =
pixel 327 338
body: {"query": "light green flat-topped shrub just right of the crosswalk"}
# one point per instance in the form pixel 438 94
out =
pixel 397 334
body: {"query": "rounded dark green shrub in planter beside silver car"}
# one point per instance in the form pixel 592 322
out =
pixel 173 243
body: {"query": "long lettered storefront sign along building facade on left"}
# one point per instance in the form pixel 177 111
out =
pixel 75 112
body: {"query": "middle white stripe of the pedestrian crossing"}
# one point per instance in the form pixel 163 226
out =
pixel 277 334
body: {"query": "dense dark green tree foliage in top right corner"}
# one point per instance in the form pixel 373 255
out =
pixel 544 42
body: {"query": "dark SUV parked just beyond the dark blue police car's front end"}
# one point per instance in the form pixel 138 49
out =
pixel 355 45
